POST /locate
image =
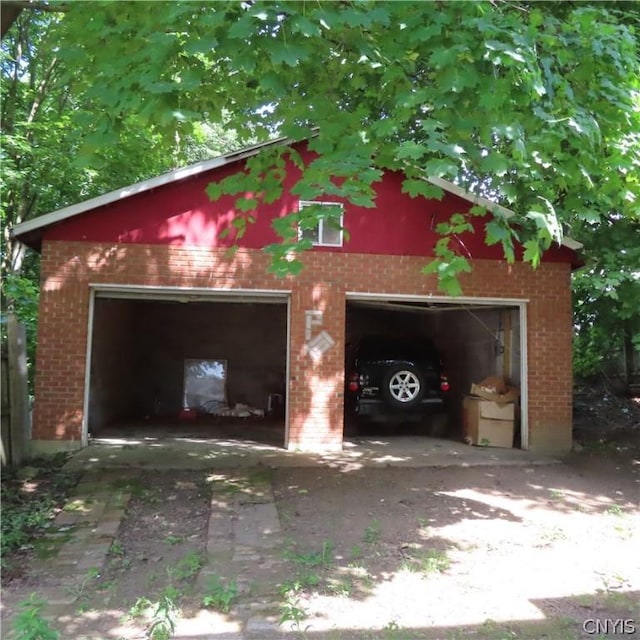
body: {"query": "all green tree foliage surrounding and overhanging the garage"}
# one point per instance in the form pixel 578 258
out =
pixel 535 105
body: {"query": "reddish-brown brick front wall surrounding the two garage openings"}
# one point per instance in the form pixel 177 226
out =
pixel 315 388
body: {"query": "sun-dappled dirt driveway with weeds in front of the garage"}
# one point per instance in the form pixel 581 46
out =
pixel 391 552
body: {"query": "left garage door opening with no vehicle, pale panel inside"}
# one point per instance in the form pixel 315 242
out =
pixel 188 366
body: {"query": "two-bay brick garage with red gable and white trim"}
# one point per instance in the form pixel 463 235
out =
pixel 141 298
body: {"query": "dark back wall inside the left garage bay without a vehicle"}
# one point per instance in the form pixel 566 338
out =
pixel 250 337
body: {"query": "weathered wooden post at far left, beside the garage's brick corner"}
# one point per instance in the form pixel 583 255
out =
pixel 19 426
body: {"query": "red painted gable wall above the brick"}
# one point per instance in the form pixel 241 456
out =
pixel 181 214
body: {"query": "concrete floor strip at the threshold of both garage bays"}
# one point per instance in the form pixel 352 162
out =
pixel 165 450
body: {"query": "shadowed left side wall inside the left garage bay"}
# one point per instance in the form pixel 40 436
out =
pixel 112 383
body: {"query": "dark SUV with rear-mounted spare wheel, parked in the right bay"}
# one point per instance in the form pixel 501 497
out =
pixel 394 379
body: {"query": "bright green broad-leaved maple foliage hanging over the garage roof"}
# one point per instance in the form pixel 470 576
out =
pixel 536 105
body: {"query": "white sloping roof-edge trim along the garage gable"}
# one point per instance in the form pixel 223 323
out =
pixel 222 161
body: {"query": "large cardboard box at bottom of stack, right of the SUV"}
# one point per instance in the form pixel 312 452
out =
pixel 480 428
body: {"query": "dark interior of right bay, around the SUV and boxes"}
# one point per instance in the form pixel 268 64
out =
pixel 474 341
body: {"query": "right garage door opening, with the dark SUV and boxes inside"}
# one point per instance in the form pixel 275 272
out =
pixel 410 365
